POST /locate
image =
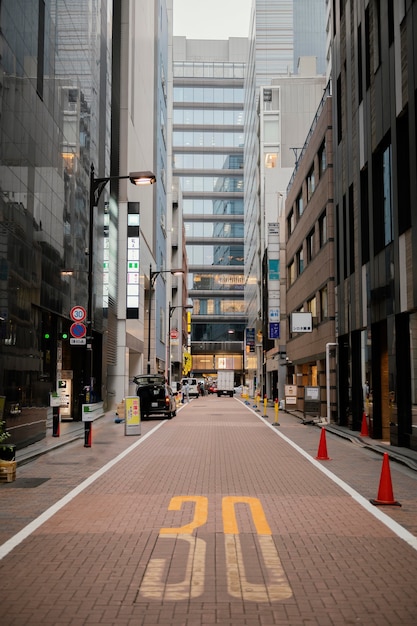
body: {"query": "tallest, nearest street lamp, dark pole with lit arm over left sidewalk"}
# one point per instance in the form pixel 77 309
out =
pixel 97 186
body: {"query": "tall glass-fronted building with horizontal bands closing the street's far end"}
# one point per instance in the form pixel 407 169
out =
pixel 208 144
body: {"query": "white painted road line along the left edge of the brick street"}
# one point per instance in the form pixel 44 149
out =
pixel 14 541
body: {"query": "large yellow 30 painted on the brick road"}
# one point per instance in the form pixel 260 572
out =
pixel 274 585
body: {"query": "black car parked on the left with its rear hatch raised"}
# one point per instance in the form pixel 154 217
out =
pixel 156 397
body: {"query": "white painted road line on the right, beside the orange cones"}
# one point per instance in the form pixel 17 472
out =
pixel 396 528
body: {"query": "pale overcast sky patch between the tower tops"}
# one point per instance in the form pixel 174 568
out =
pixel 211 19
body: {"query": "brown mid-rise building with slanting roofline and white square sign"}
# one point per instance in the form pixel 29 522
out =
pixel 310 270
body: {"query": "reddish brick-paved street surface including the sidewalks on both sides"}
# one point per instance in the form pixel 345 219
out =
pixel 212 518
